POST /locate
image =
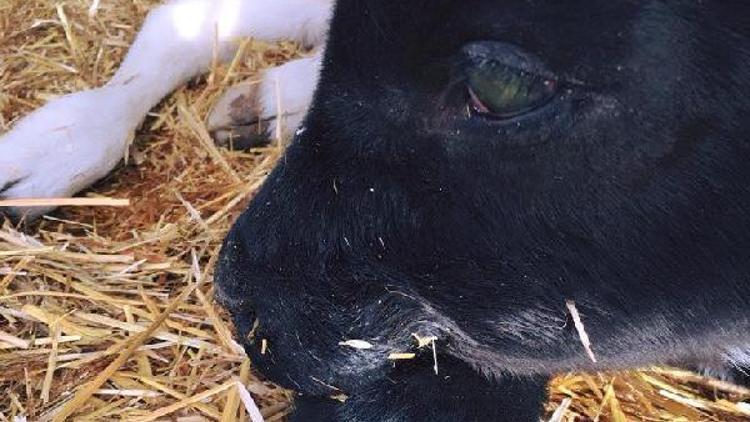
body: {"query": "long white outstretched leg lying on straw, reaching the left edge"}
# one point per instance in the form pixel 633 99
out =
pixel 75 140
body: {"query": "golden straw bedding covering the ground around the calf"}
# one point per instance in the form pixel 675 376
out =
pixel 106 313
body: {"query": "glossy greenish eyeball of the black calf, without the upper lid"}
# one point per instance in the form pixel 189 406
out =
pixel 504 91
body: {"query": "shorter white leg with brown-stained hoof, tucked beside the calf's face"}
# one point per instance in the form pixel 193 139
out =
pixel 251 110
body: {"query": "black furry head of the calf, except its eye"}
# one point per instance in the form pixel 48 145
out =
pixel 395 212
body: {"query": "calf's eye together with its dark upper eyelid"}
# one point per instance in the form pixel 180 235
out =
pixel 505 82
